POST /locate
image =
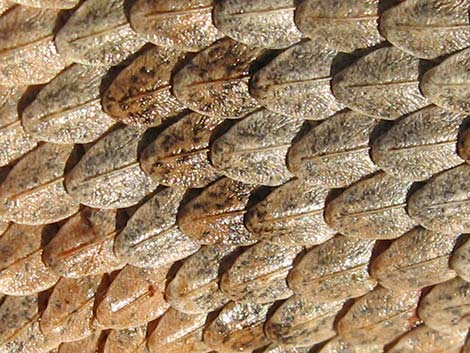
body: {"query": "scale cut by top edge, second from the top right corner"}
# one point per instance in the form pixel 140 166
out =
pixel 341 25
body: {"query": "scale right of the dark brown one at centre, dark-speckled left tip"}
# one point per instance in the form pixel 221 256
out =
pixel 291 214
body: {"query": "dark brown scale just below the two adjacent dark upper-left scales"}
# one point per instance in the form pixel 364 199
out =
pixel 179 156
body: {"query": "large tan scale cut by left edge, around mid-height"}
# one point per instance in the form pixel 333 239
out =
pixel 33 192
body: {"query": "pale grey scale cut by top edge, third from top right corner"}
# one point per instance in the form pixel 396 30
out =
pixel 246 22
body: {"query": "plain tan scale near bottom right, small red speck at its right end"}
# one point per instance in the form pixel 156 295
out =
pixel 379 317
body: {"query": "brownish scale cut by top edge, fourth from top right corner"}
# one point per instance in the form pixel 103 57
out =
pixel 181 24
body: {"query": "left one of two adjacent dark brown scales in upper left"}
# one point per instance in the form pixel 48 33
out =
pixel 141 93
